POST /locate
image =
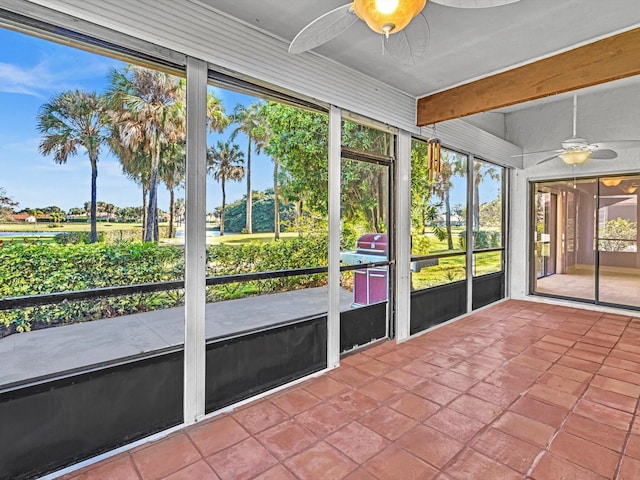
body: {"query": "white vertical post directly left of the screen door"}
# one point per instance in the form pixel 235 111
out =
pixel 335 160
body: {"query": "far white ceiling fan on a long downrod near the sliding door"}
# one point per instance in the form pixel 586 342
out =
pixel 576 150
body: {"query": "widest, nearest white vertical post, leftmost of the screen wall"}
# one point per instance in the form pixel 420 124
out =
pixel 195 238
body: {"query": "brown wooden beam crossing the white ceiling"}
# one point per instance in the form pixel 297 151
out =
pixel 602 61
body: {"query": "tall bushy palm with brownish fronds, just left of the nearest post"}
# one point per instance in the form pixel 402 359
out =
pixel 147 112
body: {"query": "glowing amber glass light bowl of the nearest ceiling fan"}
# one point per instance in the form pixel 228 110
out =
pixel 387 16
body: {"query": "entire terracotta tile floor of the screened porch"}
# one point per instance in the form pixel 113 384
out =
pixel 519 390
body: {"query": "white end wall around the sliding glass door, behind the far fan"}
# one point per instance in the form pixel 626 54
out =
pixel 604 115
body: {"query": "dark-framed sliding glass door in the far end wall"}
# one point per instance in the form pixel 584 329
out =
pixel 584 240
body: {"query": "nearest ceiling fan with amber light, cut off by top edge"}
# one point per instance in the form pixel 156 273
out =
pixel 401 23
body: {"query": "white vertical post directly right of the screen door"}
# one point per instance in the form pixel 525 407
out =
pixel 403 236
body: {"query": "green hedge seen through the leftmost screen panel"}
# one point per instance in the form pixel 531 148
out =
pixel 30 269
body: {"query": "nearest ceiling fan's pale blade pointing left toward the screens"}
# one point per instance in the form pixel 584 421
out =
pixel 323 29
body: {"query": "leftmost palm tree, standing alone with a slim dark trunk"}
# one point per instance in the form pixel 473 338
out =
pixel 71 119
